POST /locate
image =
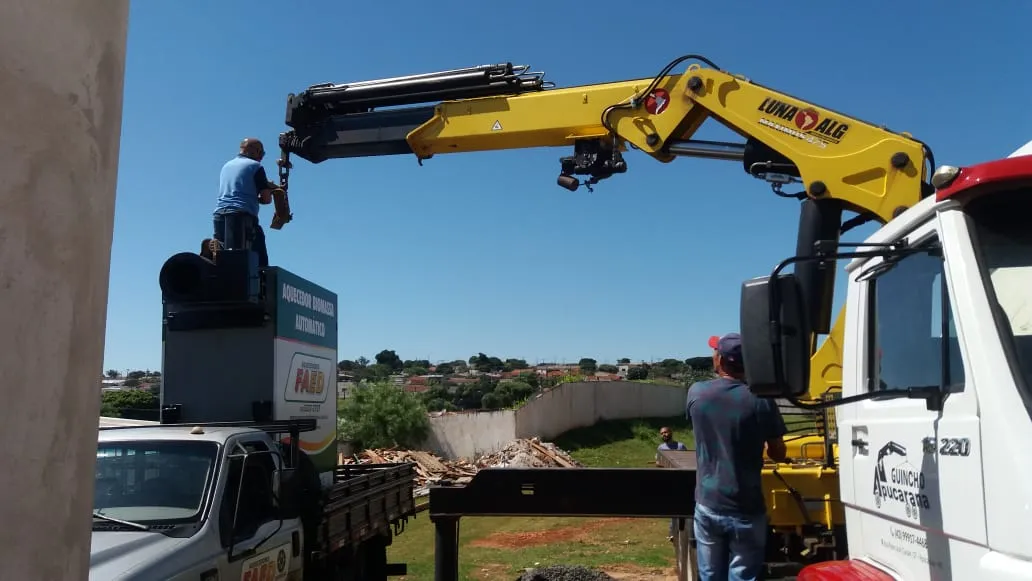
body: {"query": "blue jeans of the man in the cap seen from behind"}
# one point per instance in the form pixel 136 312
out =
pixel 730 547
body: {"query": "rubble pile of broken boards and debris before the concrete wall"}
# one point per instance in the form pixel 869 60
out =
pixel 432 469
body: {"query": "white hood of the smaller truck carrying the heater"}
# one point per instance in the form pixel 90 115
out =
pixel 119 555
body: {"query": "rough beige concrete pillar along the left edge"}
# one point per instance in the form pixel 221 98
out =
pixel 61 77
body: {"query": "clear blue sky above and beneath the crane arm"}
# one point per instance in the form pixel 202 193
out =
pixel 483 252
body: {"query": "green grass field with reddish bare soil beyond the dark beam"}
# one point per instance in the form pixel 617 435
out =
pixel 501 548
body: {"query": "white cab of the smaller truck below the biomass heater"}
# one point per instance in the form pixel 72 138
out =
pixel 190 503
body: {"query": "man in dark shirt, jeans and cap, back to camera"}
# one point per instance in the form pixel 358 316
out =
pixel 732 427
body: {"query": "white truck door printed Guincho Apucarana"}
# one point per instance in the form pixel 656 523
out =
pixel 917 473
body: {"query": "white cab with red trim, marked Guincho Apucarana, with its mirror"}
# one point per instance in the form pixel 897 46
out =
pixel 937 402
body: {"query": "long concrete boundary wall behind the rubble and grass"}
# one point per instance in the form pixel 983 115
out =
pixel 551 414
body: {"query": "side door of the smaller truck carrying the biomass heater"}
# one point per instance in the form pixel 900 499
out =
pixel 259 545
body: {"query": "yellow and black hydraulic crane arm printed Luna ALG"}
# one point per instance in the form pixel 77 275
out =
pixel 842 163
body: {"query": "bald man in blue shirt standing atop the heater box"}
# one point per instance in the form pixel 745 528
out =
pixel 243 186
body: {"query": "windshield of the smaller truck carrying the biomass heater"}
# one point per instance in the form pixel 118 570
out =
pixel 153 482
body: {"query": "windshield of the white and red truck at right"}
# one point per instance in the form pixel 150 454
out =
pixel 1004 243
